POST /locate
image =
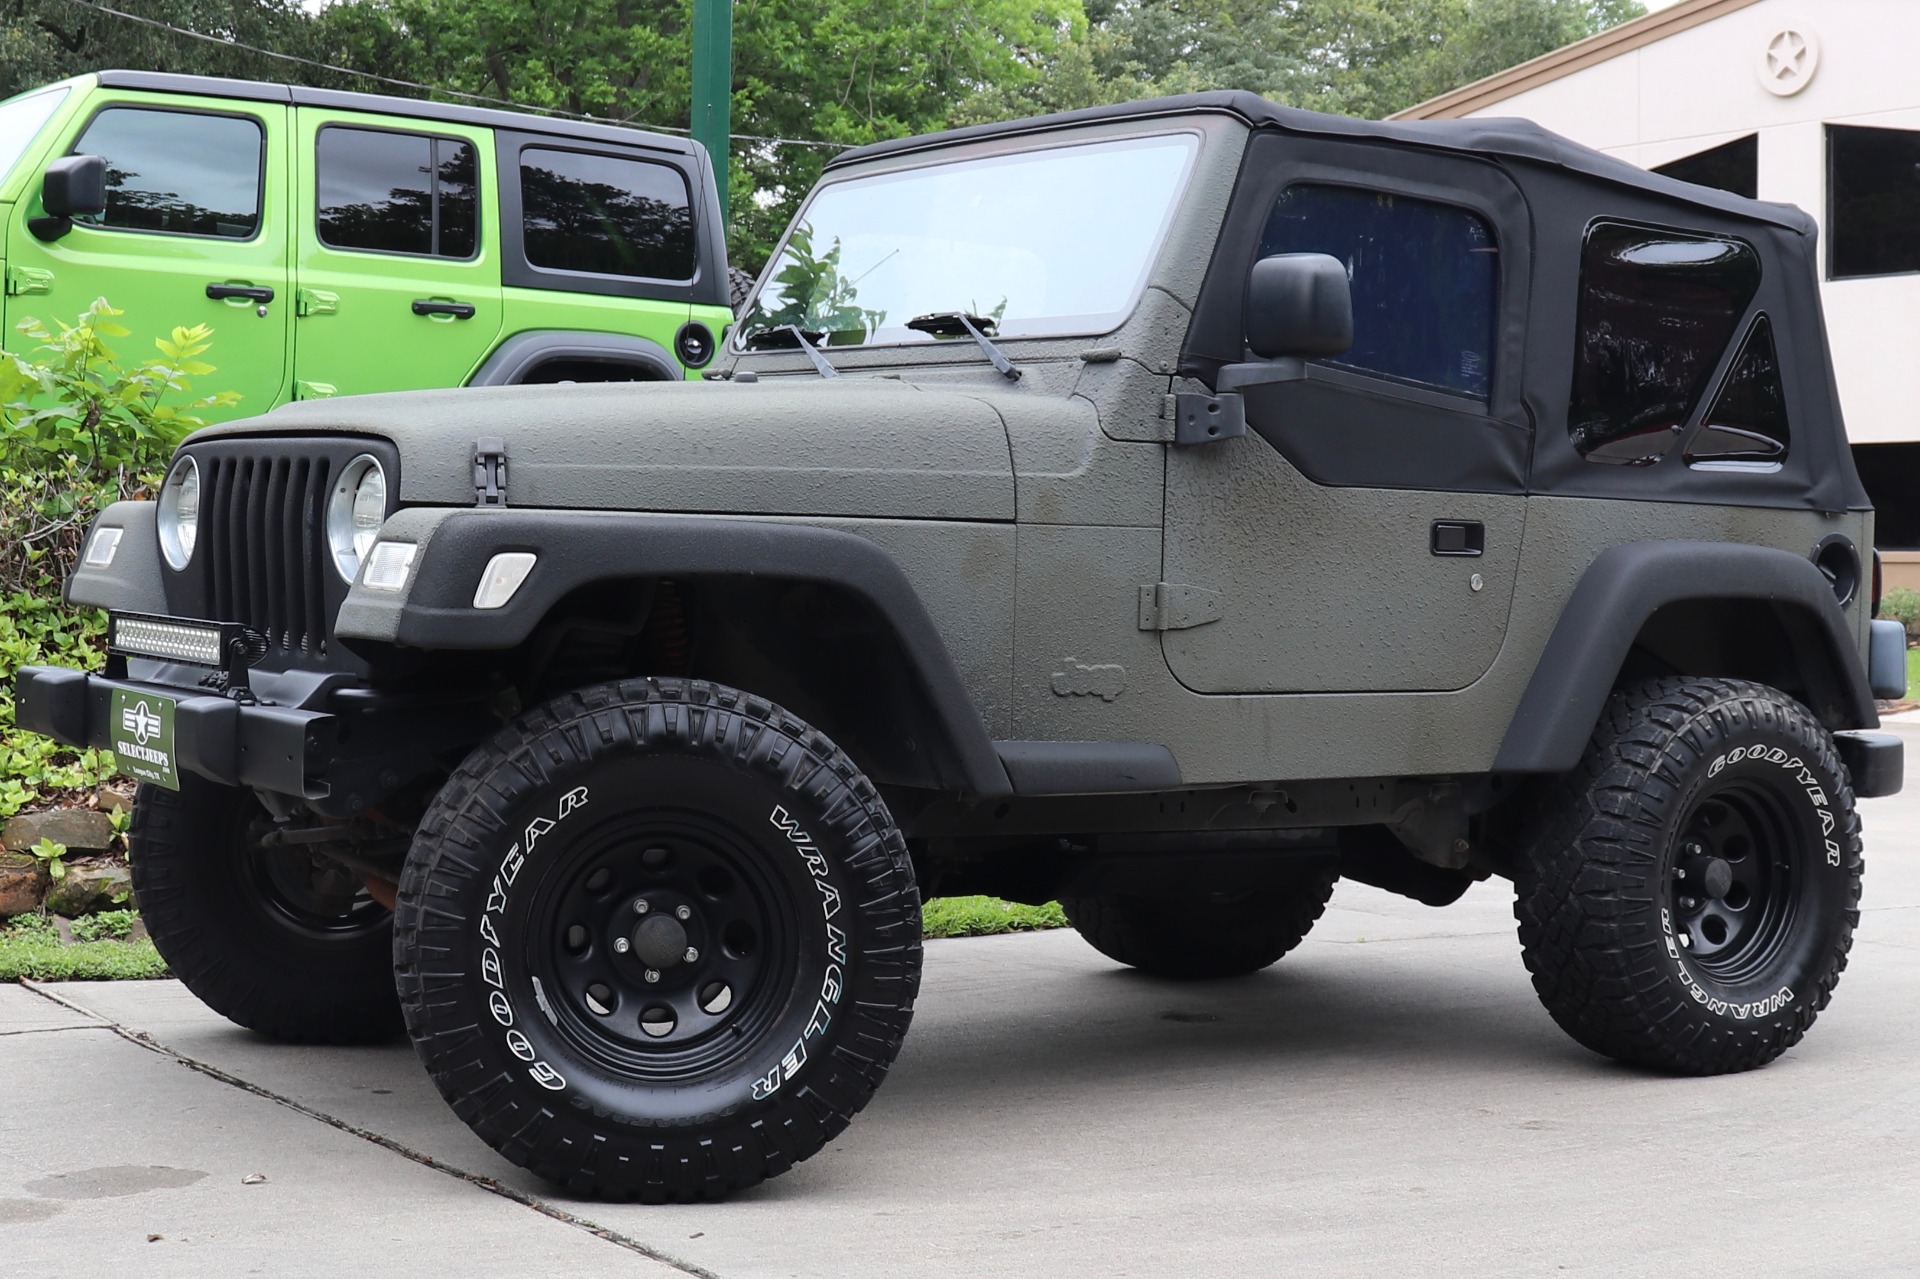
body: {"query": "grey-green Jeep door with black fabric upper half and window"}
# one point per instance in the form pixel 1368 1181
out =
pixel 1364 535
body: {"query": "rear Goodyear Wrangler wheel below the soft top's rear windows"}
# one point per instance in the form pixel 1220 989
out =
pixel 1692 896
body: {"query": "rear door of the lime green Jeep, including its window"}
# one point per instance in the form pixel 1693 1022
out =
pixel 398 254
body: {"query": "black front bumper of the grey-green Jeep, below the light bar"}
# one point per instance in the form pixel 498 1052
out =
pixel 270 748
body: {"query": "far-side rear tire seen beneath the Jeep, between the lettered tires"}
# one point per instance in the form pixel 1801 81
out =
pixel 1197 938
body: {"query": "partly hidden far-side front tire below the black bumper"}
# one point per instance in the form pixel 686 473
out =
pixel 247 932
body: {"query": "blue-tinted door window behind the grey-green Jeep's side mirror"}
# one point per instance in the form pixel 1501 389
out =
pixel 1426 281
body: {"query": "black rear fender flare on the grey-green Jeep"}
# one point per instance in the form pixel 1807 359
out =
pixel 1625 587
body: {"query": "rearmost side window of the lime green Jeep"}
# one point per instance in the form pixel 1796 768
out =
pixel 606 216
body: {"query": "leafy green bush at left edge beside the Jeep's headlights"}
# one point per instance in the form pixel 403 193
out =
pixel 78 433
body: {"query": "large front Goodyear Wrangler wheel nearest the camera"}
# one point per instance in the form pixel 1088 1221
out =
pixel 658 940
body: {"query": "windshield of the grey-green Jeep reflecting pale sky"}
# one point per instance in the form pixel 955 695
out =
pixel 1040 243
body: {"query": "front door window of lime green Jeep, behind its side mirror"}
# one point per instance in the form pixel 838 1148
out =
pixel 178 172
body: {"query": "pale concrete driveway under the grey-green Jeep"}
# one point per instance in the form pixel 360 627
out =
pixel 1387 1101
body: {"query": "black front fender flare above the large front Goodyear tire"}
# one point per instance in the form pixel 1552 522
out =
pixel 579 548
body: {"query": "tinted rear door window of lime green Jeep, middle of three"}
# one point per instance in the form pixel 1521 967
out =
pixel 396 193
